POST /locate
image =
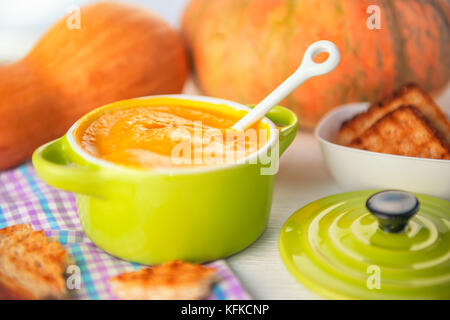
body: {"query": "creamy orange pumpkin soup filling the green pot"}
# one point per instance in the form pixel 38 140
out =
pixel 171 136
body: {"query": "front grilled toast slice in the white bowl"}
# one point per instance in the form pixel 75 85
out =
pixel 404 131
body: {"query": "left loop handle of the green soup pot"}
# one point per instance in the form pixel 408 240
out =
pixel 53 165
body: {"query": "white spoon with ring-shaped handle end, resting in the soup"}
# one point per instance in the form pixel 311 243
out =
pixel 308 69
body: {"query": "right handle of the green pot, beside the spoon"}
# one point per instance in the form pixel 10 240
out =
pixel 287 121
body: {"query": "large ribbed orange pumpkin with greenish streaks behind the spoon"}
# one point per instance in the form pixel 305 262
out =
pixel 243 49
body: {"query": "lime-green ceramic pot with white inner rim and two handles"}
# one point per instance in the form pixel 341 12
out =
pixel 153 216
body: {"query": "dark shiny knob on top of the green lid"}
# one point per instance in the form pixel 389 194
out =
pixel 393 209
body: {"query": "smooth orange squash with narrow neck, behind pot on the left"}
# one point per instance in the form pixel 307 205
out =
pixel 119 52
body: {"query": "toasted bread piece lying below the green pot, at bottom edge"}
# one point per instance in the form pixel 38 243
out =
pixel 170 281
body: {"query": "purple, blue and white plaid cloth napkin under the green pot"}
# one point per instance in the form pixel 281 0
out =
pixel 24 198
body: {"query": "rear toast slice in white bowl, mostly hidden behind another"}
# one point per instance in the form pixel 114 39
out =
pixel 409 94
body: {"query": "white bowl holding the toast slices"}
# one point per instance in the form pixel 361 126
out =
pixel 355 169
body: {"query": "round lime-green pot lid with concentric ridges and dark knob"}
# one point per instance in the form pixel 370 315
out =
pixel 339 249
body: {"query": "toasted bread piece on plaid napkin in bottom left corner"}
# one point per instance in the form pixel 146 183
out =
pixel 31 267
